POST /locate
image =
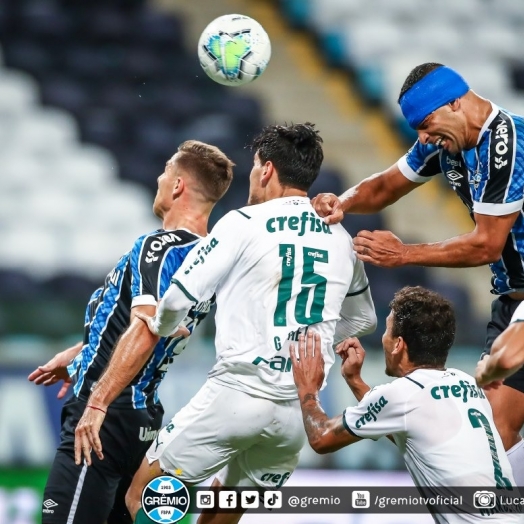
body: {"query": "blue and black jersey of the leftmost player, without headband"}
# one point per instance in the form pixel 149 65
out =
pixel 141 277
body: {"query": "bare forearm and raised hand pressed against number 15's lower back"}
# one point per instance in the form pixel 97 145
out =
pixel 324 434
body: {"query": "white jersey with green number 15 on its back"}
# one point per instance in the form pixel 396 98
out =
pixel 275 267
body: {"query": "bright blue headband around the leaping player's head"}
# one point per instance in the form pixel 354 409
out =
pixel 436 89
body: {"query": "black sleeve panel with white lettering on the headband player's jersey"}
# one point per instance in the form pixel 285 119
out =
pixel 501 159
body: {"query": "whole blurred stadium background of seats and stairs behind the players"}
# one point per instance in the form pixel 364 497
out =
pixel 96 95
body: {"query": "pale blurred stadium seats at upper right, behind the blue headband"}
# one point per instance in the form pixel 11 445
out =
pixel 380 41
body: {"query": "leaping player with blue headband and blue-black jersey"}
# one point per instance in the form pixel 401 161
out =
pixel 479 148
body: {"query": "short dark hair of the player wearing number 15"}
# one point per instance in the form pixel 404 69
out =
pixel 295 150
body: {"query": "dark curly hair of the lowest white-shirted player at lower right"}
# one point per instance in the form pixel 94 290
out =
pixel 426 322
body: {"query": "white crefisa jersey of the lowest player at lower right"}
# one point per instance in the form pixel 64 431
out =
pixel 443 425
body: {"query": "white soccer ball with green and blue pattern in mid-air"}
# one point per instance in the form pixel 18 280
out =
pixel 234 50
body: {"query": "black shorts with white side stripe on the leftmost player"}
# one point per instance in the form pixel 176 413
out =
pixel 96 494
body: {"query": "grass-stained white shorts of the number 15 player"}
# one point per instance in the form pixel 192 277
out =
pixel 251 441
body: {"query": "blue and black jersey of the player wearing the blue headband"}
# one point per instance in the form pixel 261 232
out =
pixel 489 179
